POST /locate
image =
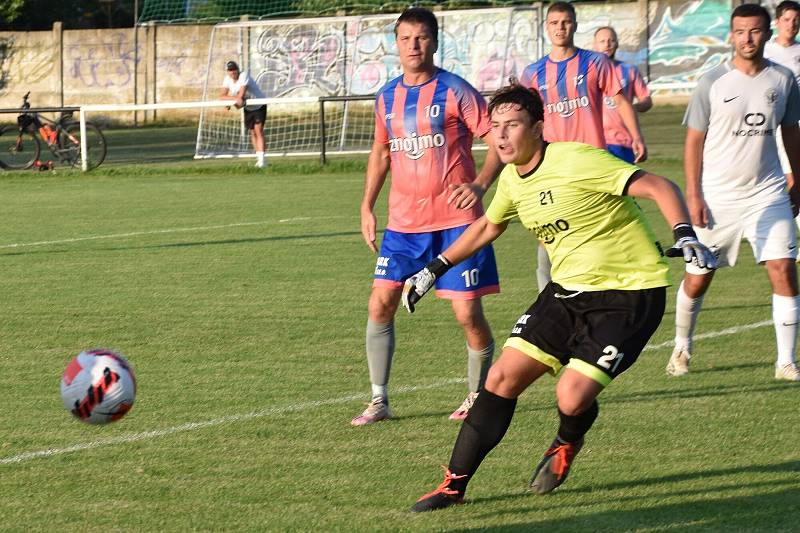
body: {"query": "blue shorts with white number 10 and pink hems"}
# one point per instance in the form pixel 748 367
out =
pixel 404 254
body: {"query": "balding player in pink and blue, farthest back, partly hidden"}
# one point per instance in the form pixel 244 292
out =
pixel 618 138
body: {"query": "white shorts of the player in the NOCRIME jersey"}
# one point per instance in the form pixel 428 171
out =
pixel 770 230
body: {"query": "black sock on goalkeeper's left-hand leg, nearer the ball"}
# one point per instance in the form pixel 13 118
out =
pixel 482 430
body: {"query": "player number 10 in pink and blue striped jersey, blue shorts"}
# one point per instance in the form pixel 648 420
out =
pixel 425 121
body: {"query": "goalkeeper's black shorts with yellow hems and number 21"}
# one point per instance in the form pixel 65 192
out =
pixel 599 334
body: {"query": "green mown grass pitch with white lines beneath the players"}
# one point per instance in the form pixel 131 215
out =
pixel 240 298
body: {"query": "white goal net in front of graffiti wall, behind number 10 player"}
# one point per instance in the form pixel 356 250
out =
pixel 343 62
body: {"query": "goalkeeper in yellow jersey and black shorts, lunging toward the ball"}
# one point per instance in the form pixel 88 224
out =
pixel 606 298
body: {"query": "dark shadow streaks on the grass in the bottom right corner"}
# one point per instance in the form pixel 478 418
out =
pixel 769 505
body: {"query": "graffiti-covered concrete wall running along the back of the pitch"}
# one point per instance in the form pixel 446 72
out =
pixel 672 41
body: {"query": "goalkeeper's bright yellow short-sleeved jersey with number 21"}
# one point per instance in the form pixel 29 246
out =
pixel 596 238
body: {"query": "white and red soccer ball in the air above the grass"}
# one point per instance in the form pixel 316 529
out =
pixel 98 386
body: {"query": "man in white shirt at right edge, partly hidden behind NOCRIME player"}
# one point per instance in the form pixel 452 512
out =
pixel 785 50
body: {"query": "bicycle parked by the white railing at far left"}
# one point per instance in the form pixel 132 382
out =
pixel 21 145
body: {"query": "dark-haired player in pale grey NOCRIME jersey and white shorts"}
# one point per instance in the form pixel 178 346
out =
pixel 735 187
